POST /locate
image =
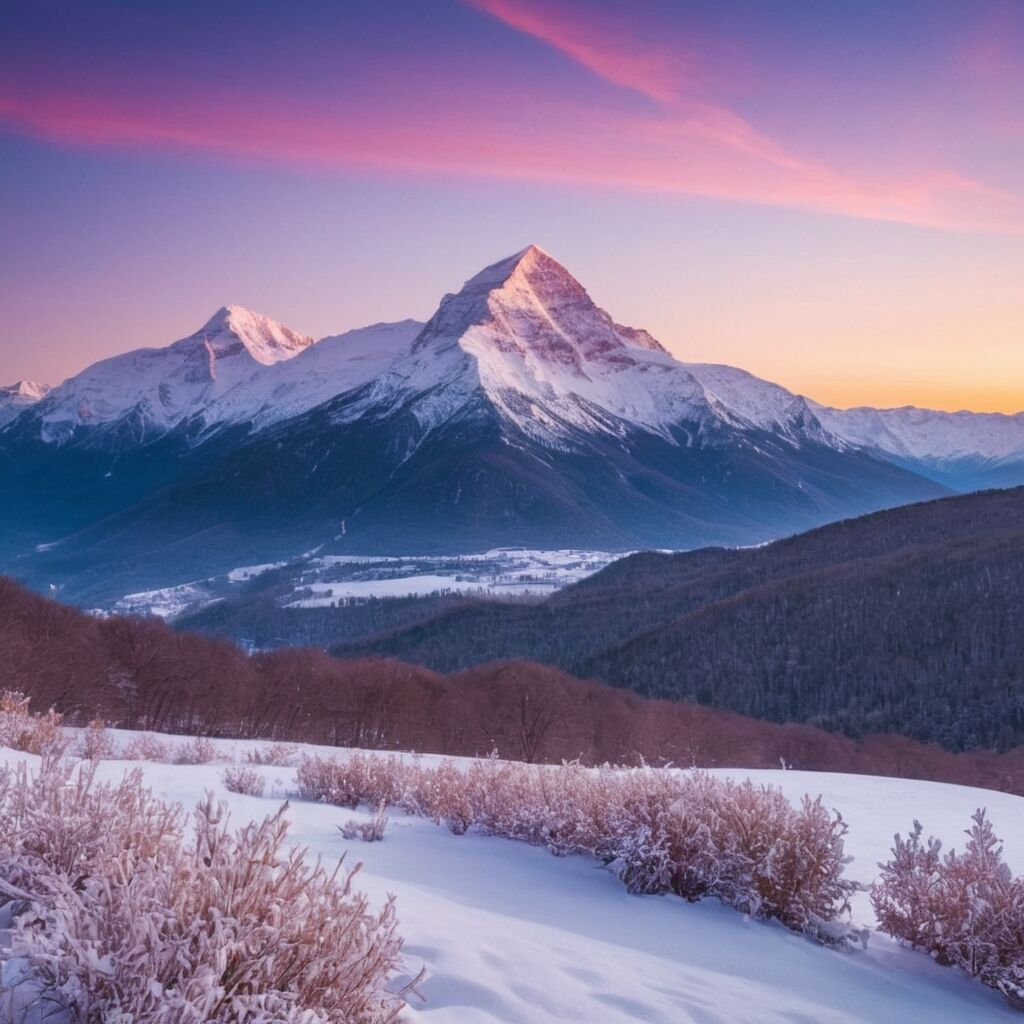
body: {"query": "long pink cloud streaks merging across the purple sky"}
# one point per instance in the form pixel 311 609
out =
pixel 684 143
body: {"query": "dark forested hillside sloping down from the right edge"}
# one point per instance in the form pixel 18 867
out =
pixel 905 622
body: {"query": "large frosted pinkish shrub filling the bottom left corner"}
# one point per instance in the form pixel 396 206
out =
pixel 118 916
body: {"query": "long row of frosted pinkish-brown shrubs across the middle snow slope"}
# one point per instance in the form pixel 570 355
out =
pixel 660 831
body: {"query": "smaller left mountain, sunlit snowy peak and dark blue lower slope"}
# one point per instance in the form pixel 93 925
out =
pixel 129 428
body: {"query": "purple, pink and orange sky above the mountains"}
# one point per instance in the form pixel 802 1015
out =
pixel 829 195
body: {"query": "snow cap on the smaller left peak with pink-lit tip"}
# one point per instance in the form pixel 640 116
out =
pixel 156 389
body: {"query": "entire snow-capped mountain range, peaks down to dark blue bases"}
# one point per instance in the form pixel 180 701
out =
pixel 520 414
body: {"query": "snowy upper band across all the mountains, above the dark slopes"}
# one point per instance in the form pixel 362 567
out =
pixel 523 336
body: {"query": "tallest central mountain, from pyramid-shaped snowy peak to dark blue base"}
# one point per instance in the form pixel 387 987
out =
pixel 521 414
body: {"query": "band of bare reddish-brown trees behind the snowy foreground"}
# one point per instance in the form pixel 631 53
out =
pixel 141 674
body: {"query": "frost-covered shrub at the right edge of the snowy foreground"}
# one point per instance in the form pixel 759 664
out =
pixel 967 911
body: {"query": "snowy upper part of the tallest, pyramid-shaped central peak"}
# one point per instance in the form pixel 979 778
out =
pixel 525 335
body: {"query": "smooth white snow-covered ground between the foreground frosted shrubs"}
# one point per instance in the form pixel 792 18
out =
pixel 509 933
